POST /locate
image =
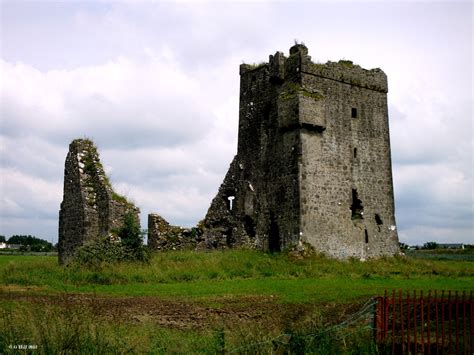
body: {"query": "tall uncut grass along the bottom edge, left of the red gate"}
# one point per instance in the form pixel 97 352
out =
pixel 54 329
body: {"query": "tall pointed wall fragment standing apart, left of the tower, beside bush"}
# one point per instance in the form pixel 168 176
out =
pixel 90 207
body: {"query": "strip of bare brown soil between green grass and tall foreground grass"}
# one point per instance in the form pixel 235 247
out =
pixel 264 311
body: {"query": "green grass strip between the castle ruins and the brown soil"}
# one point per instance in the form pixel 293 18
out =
pixel 187 274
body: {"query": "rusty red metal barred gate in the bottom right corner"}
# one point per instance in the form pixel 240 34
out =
pixel 437 323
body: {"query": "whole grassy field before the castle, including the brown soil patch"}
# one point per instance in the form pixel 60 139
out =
pixel 206 302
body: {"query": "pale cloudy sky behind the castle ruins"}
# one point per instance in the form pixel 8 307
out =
pixel 156 85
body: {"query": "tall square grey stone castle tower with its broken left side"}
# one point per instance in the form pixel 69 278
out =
pixel 313 161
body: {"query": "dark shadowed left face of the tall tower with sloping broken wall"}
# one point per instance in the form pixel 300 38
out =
pixel 261 181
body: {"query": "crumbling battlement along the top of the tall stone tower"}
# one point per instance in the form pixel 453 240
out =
pixel 281 68
